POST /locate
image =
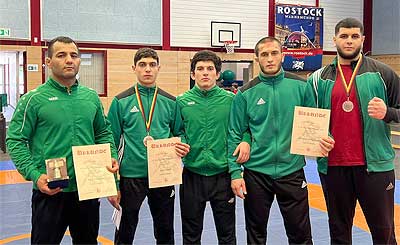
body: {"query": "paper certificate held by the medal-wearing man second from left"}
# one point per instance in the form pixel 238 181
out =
pixel 164 166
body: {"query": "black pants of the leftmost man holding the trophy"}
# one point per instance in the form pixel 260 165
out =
pixel 51 215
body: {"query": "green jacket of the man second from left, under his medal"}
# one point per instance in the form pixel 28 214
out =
pixel 129 128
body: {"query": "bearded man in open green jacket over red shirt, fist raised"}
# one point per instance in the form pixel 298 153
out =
pixel 363 96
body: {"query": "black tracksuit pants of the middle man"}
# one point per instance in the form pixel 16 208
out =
pixel 195 191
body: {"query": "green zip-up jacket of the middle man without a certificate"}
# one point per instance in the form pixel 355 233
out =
pixel 205 115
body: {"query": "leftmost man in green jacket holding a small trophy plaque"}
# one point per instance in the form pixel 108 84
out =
pixel 47 122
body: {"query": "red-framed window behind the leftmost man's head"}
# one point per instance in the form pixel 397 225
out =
pixel 92 72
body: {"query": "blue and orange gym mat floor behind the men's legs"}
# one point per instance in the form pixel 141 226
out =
pixel 15 215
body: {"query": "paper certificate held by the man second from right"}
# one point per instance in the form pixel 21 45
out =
pixel 309 126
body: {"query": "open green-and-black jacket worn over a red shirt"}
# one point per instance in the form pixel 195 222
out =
pixel 374 79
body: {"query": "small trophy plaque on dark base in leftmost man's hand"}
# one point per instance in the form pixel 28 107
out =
pixel 57 171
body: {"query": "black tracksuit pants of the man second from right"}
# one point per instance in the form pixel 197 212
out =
pixel 292 196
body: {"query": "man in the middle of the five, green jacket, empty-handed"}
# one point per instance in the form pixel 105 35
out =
pixel 205 113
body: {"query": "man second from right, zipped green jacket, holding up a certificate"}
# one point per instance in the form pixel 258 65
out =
pixel 265 107
